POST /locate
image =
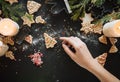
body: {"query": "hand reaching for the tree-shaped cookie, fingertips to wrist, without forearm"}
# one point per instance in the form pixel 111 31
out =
pixel 81 55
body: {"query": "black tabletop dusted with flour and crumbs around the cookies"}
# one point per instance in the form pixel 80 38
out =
pixel 57 66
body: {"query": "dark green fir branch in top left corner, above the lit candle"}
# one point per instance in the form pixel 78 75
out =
pixel 12 11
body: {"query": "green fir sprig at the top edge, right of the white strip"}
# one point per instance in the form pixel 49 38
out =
pixel 78 7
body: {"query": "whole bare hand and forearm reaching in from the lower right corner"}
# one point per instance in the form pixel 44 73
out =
pixel 84 59
